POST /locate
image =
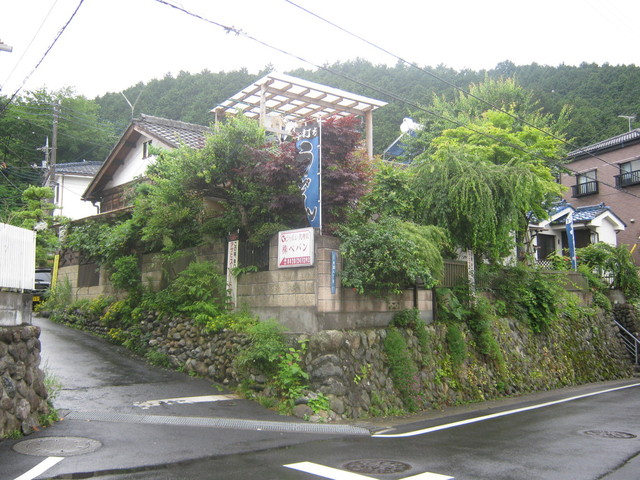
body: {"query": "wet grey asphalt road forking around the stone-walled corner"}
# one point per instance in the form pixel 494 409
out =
pixel 149 423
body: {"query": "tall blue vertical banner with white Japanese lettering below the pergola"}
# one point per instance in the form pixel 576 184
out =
pixel 308 146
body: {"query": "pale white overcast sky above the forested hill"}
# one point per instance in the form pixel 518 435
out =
pixel 113 44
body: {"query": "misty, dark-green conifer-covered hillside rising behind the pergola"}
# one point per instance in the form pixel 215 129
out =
pixel 596 94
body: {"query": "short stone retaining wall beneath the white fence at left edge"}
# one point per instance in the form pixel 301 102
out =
pixel 23 396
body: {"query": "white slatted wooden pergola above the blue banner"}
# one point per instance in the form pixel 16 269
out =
pixel 278 99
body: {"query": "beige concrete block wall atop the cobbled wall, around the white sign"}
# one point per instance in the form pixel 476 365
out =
pixel 301 298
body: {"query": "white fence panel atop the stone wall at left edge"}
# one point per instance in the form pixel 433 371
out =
pixel 17 258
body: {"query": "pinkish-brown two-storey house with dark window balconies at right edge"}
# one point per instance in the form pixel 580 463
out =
pixel 609 172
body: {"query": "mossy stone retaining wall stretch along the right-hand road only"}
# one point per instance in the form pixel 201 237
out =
pixel 350 368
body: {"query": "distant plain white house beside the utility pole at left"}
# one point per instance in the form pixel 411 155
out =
pixel 69 183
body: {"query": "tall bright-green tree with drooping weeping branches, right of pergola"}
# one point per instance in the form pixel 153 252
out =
pixel 481 181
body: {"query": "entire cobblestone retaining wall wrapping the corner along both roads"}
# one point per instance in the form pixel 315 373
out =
pixel 351 368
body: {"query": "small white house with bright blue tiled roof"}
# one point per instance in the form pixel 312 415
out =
pixel 591 224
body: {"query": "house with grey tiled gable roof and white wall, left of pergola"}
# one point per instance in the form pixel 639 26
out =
pixel 128 160
